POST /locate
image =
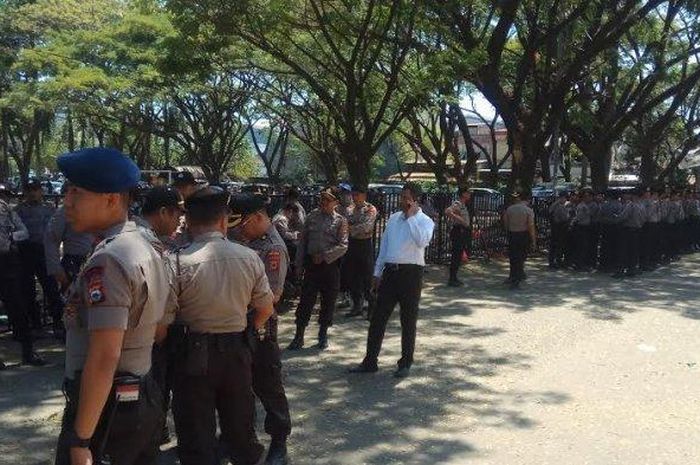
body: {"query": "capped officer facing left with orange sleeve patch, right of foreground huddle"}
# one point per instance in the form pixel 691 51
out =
pixel 257 232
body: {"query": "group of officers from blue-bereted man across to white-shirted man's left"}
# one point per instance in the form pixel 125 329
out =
pixel 175 308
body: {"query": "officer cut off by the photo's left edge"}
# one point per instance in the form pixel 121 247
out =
pixel 12 231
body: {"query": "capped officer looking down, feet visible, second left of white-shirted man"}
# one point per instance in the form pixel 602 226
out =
pixel 322 243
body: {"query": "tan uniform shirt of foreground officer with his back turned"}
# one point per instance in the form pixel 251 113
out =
pixel 217 280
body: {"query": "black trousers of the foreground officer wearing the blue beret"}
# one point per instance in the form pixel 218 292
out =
pixel 134 429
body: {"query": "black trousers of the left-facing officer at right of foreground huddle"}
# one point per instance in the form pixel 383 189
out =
pixel 267 384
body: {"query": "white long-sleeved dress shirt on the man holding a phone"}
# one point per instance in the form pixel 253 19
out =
pixel 404 240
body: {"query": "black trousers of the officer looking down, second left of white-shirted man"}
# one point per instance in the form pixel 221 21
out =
pixel 323 279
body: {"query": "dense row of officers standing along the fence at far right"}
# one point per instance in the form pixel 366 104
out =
pixel 623 232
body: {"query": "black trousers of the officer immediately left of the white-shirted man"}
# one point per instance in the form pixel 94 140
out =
pixel 359 264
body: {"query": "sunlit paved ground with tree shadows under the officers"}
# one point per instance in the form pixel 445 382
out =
pixel 576 369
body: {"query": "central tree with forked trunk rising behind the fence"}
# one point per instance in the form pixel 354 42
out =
pixel 357 58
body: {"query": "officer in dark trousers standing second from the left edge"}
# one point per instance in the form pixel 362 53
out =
pixel 35 215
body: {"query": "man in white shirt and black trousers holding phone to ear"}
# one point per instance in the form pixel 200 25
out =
pixel 398 278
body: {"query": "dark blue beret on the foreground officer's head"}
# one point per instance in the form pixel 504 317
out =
pixel 100 170
